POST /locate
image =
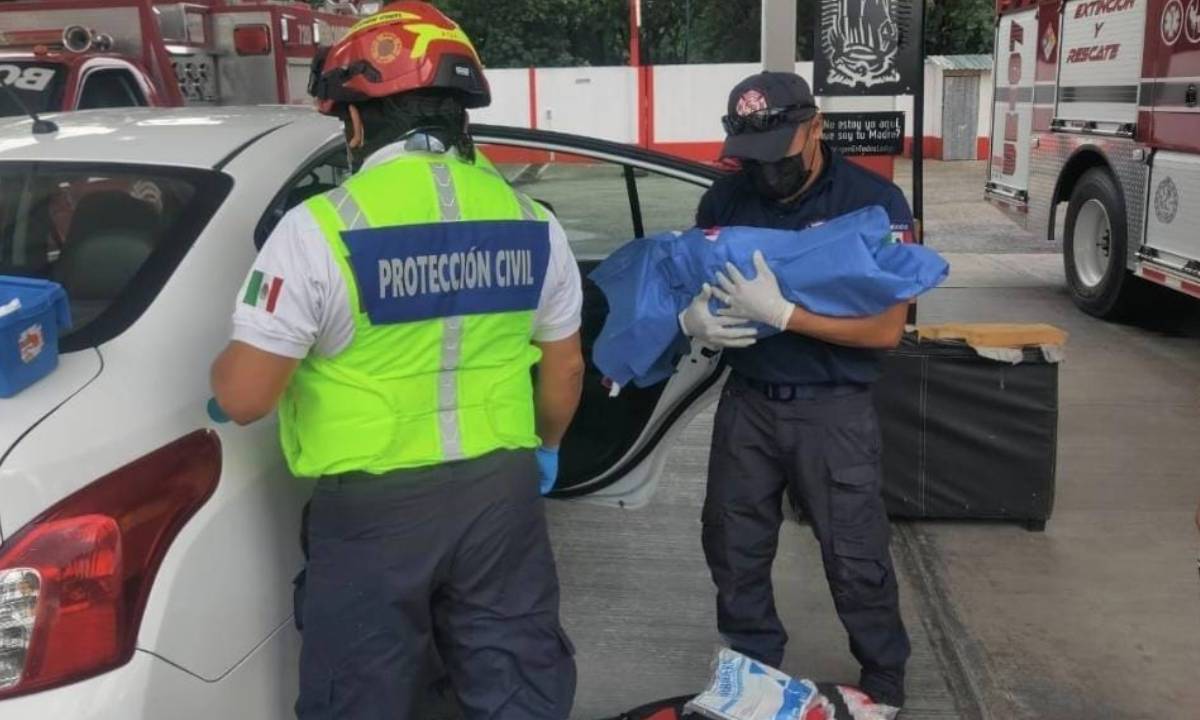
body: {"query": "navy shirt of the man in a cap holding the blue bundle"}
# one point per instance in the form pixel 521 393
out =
pixel 843 188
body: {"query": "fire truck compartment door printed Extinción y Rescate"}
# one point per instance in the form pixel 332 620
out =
pixel 1100 69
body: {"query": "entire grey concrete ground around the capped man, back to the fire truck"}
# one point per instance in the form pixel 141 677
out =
pixel 1096 617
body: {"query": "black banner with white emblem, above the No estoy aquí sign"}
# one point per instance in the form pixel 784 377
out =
pixel 866 47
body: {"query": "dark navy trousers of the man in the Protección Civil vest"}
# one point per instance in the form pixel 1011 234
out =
pixel 454 559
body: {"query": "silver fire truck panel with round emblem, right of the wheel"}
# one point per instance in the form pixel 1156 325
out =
pixel 1174 213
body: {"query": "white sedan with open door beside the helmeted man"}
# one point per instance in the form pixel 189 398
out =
pixel 149 550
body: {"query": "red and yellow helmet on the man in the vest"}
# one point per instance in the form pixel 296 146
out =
pixel 406 46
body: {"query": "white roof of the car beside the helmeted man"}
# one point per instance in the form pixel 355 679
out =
pixel 184 137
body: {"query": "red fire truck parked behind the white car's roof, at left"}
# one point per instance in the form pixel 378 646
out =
pixel 80 55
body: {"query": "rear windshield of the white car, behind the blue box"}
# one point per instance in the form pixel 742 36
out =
pixel 110 235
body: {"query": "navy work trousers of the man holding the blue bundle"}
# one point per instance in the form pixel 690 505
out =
pixel 823 446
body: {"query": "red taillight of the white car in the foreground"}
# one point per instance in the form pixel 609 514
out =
pixel 75 581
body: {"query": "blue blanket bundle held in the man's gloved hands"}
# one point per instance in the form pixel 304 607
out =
pixel 848 267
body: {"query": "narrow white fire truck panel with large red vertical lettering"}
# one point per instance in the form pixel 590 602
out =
pixel 1017 39
